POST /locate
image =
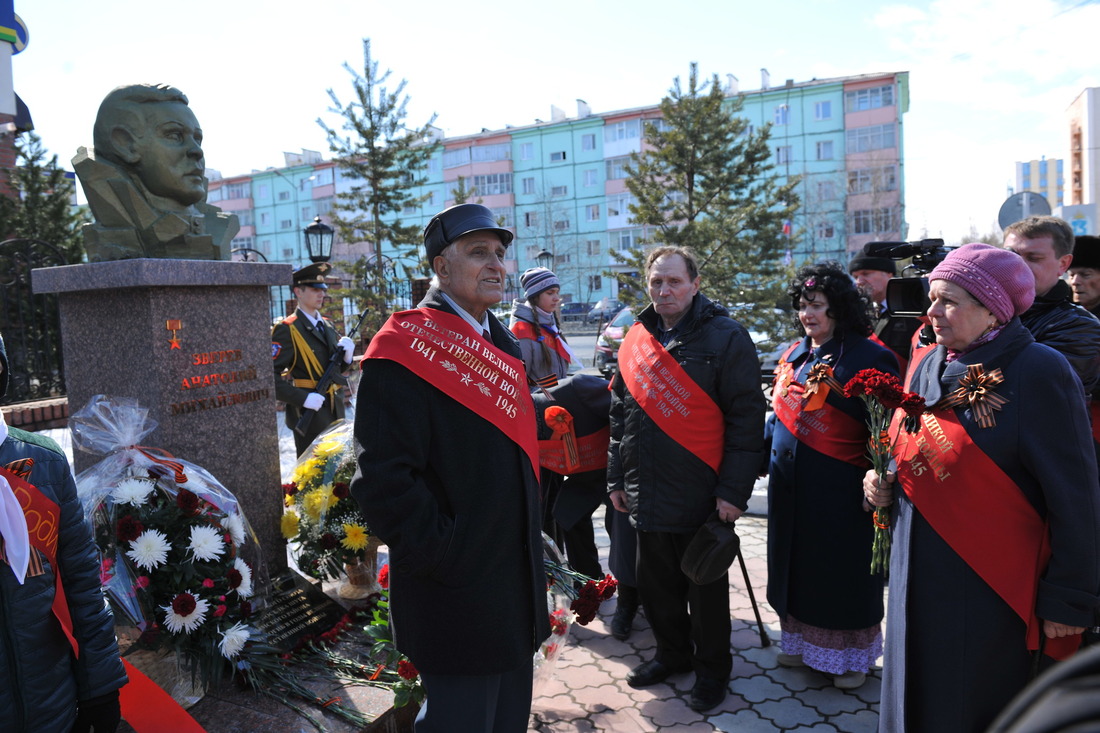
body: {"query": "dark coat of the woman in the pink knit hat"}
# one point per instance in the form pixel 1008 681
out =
pixel 955 652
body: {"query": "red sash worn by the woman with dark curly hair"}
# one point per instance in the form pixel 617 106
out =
pixel 829 430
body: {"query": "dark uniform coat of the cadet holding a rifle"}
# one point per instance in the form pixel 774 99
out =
pixel 289 362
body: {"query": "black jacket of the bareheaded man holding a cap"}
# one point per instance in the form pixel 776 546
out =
pixel 668 488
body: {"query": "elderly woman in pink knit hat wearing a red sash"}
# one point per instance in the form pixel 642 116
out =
pixel 996 564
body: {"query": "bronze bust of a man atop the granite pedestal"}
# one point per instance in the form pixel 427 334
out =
pixel 146 181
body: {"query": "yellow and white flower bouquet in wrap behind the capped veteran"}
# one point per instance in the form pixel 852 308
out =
pixel 327 532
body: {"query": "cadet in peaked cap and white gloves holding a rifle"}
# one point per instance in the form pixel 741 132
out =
pixel 303 345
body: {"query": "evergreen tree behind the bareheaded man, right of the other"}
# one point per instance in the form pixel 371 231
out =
pixel 706 181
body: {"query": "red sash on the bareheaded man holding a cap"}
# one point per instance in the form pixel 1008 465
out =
pixel 672 399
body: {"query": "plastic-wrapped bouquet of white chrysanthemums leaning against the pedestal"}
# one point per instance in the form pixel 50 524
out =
pixel 180 562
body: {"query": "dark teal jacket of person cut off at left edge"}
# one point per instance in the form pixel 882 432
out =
pixel 40 681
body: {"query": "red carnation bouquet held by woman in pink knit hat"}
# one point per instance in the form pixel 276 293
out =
pixel 884 395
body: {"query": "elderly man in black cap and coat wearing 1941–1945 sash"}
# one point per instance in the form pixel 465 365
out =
pixel 447 478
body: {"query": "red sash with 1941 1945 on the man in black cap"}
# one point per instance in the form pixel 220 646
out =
pixel 444 351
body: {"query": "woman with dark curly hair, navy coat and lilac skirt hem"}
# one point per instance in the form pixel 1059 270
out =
pixel 819 535
